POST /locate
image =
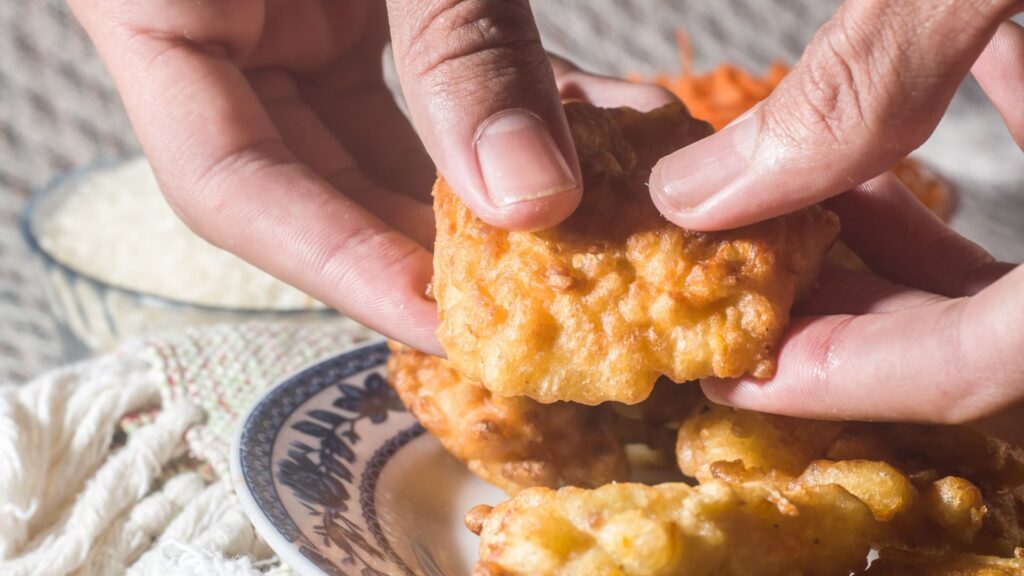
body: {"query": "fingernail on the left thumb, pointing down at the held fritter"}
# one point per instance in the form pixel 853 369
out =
pixel 520 159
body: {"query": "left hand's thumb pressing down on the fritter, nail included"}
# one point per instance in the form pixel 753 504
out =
pixel 484 99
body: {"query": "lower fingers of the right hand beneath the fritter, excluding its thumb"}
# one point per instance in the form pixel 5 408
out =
pixel 935 338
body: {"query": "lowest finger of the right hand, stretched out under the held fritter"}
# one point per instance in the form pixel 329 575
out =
pixel 951 362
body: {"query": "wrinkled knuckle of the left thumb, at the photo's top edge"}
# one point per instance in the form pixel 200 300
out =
pixel 474 42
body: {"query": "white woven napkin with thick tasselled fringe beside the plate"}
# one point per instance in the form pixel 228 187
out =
pixel 119 465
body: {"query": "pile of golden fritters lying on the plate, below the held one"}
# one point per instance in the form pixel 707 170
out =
pixel 777 496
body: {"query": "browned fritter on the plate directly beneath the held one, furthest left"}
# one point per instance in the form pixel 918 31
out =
pixel 517 443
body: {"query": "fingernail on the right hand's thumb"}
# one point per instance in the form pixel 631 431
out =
pixel 695 176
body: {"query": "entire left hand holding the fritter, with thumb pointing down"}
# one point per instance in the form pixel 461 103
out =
pixel 274 136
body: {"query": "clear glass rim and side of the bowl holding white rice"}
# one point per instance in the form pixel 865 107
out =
pixel 94 315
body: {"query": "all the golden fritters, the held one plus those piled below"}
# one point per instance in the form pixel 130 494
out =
pixel 550 335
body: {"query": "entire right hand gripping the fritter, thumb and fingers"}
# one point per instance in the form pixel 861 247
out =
pixel 943 344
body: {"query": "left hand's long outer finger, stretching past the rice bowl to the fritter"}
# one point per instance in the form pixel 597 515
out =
pixel 228 173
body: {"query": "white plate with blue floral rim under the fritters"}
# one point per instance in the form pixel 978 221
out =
pixel 339 479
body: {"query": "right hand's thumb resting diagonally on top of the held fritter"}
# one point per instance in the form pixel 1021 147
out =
pixel 870 89
